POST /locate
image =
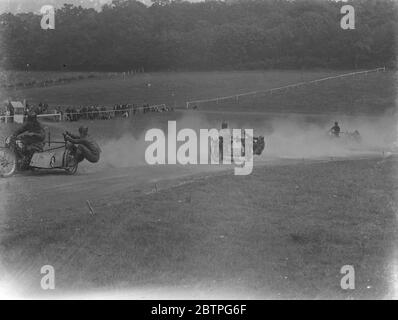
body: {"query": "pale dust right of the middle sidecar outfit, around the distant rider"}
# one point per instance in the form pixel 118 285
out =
pixel 296 137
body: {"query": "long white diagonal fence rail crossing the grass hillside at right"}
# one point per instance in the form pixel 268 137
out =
pixel 294 85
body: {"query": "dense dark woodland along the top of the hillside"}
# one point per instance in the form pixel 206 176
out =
pixel 175 35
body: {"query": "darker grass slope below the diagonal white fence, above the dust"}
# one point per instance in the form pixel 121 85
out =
pixel 373 94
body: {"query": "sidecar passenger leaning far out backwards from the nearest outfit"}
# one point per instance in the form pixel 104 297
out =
pixel 83 146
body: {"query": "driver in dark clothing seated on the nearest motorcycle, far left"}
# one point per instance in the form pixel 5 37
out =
pixel 32 134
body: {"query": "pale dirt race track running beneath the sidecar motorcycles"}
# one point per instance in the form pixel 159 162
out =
pixel 44 192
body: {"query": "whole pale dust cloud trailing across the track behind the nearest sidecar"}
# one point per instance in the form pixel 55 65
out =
pixel 286 136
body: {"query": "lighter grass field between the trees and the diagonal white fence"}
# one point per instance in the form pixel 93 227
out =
pixel 165 87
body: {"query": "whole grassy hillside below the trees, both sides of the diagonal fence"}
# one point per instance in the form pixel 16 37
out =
pixel 372 94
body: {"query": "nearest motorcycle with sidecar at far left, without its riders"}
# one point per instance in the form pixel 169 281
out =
pixel 14 157
